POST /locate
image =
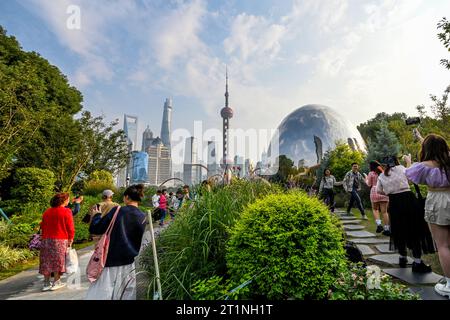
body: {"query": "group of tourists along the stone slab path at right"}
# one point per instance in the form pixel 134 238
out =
pixel 411 223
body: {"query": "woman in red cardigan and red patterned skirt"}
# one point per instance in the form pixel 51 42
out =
pixel 57 232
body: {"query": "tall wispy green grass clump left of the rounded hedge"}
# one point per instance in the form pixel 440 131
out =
pixel 193 247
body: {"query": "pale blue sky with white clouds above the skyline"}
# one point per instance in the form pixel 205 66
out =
pixel 358 57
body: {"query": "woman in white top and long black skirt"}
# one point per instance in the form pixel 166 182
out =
pixel 408 228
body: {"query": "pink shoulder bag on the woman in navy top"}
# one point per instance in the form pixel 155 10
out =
pixel 98 260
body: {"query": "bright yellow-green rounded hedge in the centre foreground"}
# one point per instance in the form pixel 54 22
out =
pixel 290 245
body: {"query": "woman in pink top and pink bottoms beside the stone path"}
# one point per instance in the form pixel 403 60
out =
pixel 379 202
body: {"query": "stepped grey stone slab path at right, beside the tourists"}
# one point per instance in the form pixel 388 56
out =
pixel 375 248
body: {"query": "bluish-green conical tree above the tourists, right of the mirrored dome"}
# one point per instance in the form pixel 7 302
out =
pixel 385 144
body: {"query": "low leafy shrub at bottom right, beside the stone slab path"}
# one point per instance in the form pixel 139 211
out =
pixel 352 285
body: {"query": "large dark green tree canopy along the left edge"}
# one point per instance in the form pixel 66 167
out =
pixel 41 122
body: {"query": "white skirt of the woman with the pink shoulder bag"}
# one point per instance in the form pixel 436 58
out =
pixel 115 283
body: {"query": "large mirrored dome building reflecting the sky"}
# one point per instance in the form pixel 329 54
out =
pixel 314 128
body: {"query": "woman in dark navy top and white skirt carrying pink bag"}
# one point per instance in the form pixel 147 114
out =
pixel 118 279
